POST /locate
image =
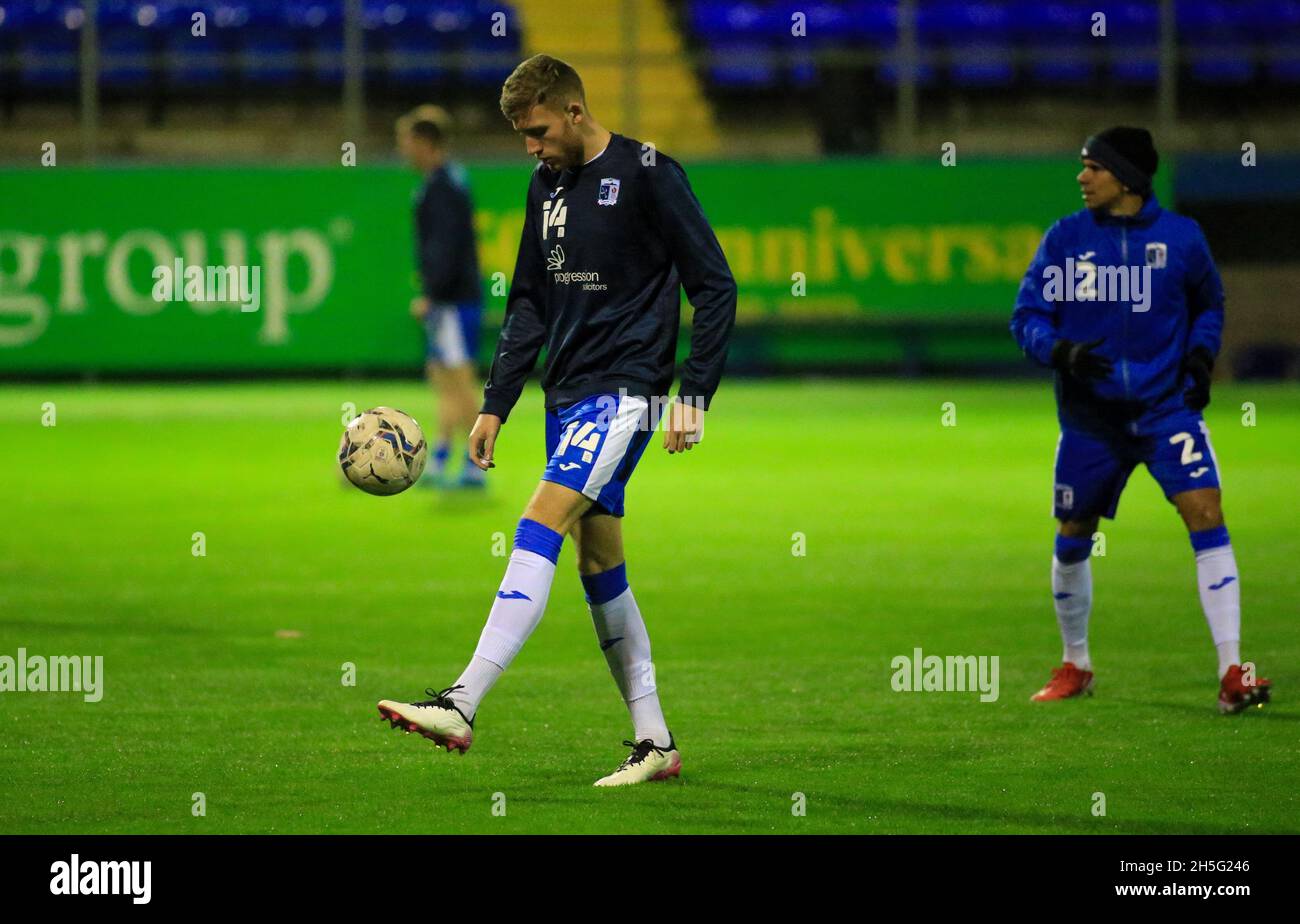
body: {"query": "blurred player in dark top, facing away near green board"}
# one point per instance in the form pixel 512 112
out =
pixel 450 301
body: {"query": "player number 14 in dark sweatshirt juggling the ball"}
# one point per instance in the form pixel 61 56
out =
pixel 612 235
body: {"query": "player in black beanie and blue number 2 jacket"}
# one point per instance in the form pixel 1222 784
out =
pixel 1125 302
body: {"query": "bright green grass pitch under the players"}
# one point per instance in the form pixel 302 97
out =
pixel 773 667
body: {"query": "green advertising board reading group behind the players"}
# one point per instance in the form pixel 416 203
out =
pixel 844 241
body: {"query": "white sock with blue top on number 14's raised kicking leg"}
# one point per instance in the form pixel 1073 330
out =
pixel 517 611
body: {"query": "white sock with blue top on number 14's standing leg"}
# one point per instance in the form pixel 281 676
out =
pixel 626 644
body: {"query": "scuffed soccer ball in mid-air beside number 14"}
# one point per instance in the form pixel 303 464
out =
pixel 383 452
